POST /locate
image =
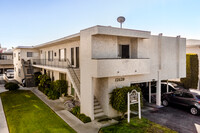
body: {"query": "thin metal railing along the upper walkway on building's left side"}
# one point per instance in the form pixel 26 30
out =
pixel 53 63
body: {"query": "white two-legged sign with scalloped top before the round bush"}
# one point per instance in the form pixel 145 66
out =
pixel 133 98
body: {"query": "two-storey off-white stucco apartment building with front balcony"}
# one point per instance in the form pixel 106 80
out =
pixel 98 59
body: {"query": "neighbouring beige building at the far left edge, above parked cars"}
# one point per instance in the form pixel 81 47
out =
pixel 6 61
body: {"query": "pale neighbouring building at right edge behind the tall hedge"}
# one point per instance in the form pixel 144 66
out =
pixel 193 46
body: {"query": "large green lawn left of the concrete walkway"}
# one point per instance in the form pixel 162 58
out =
pixel 26 113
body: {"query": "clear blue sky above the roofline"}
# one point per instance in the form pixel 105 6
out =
pixel 32 22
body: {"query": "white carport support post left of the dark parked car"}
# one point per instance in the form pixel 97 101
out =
pixel 158 90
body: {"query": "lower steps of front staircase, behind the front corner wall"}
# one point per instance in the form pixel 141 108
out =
pixel 98 111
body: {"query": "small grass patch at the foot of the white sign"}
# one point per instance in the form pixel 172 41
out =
pixel 136 126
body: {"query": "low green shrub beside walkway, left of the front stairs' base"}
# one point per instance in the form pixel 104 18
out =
pixel 82 117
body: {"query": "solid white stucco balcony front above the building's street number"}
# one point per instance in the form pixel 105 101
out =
pixel 120 67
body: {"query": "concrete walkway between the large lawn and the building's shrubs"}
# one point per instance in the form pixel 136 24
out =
pixel 58 107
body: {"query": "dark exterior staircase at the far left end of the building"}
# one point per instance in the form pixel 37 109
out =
pixel 28 76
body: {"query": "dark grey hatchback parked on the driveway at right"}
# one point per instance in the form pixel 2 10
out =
pixel 190 99
